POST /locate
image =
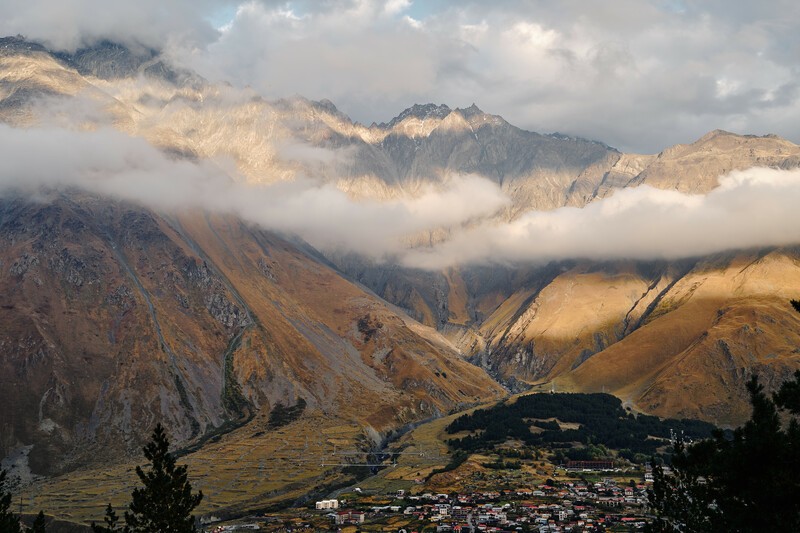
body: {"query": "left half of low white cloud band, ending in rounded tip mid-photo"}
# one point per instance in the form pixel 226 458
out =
pixel 111 163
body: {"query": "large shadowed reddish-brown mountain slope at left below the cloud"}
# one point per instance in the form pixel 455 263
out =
pixel 116 317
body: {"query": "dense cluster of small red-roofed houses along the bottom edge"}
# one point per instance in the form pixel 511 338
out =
pixel 546 509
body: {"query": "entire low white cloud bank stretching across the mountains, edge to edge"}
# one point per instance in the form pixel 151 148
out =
pixel 756 207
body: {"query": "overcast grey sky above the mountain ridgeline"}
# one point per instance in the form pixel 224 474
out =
pixel 637 75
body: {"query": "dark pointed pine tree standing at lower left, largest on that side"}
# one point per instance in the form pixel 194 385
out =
pixel 166 502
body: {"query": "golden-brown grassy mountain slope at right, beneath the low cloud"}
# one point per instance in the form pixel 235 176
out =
pixel 713 329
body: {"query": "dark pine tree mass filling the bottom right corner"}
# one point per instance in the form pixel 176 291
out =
pixel 750 482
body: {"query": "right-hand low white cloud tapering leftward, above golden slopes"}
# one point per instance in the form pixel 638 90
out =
pixel 752 208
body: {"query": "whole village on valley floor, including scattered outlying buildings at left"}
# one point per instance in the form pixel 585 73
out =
pixel 592 497
